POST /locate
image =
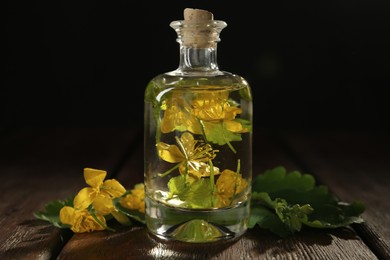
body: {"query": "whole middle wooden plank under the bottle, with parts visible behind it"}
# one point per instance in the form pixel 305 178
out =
pixel 136 243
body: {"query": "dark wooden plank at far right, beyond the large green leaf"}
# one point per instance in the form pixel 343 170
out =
pixel 356 165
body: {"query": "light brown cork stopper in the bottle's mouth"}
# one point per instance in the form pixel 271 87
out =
pixel 200 30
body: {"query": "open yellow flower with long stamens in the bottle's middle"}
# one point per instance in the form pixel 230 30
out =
pixel 192 155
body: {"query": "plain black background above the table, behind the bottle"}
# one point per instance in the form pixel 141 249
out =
pixel 311 64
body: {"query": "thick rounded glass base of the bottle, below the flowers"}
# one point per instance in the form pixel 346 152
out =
pixel 196 226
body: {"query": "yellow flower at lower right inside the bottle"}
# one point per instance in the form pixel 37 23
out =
pixel 229 183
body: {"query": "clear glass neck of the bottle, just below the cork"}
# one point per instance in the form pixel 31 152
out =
pixel 198 59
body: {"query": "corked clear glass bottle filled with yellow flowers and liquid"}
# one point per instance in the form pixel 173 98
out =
pixel 198 141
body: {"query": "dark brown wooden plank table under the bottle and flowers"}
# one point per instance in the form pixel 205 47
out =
pixel 41 165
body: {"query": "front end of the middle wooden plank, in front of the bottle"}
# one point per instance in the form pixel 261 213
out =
pixel 136 243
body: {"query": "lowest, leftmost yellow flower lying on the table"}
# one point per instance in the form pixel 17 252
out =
pixel 80 220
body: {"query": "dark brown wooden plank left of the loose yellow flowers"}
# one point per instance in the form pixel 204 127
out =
pixel 41 165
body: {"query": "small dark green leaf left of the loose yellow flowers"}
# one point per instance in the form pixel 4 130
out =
pixel 51 212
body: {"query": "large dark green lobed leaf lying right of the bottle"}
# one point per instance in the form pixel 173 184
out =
pixel 295 200
